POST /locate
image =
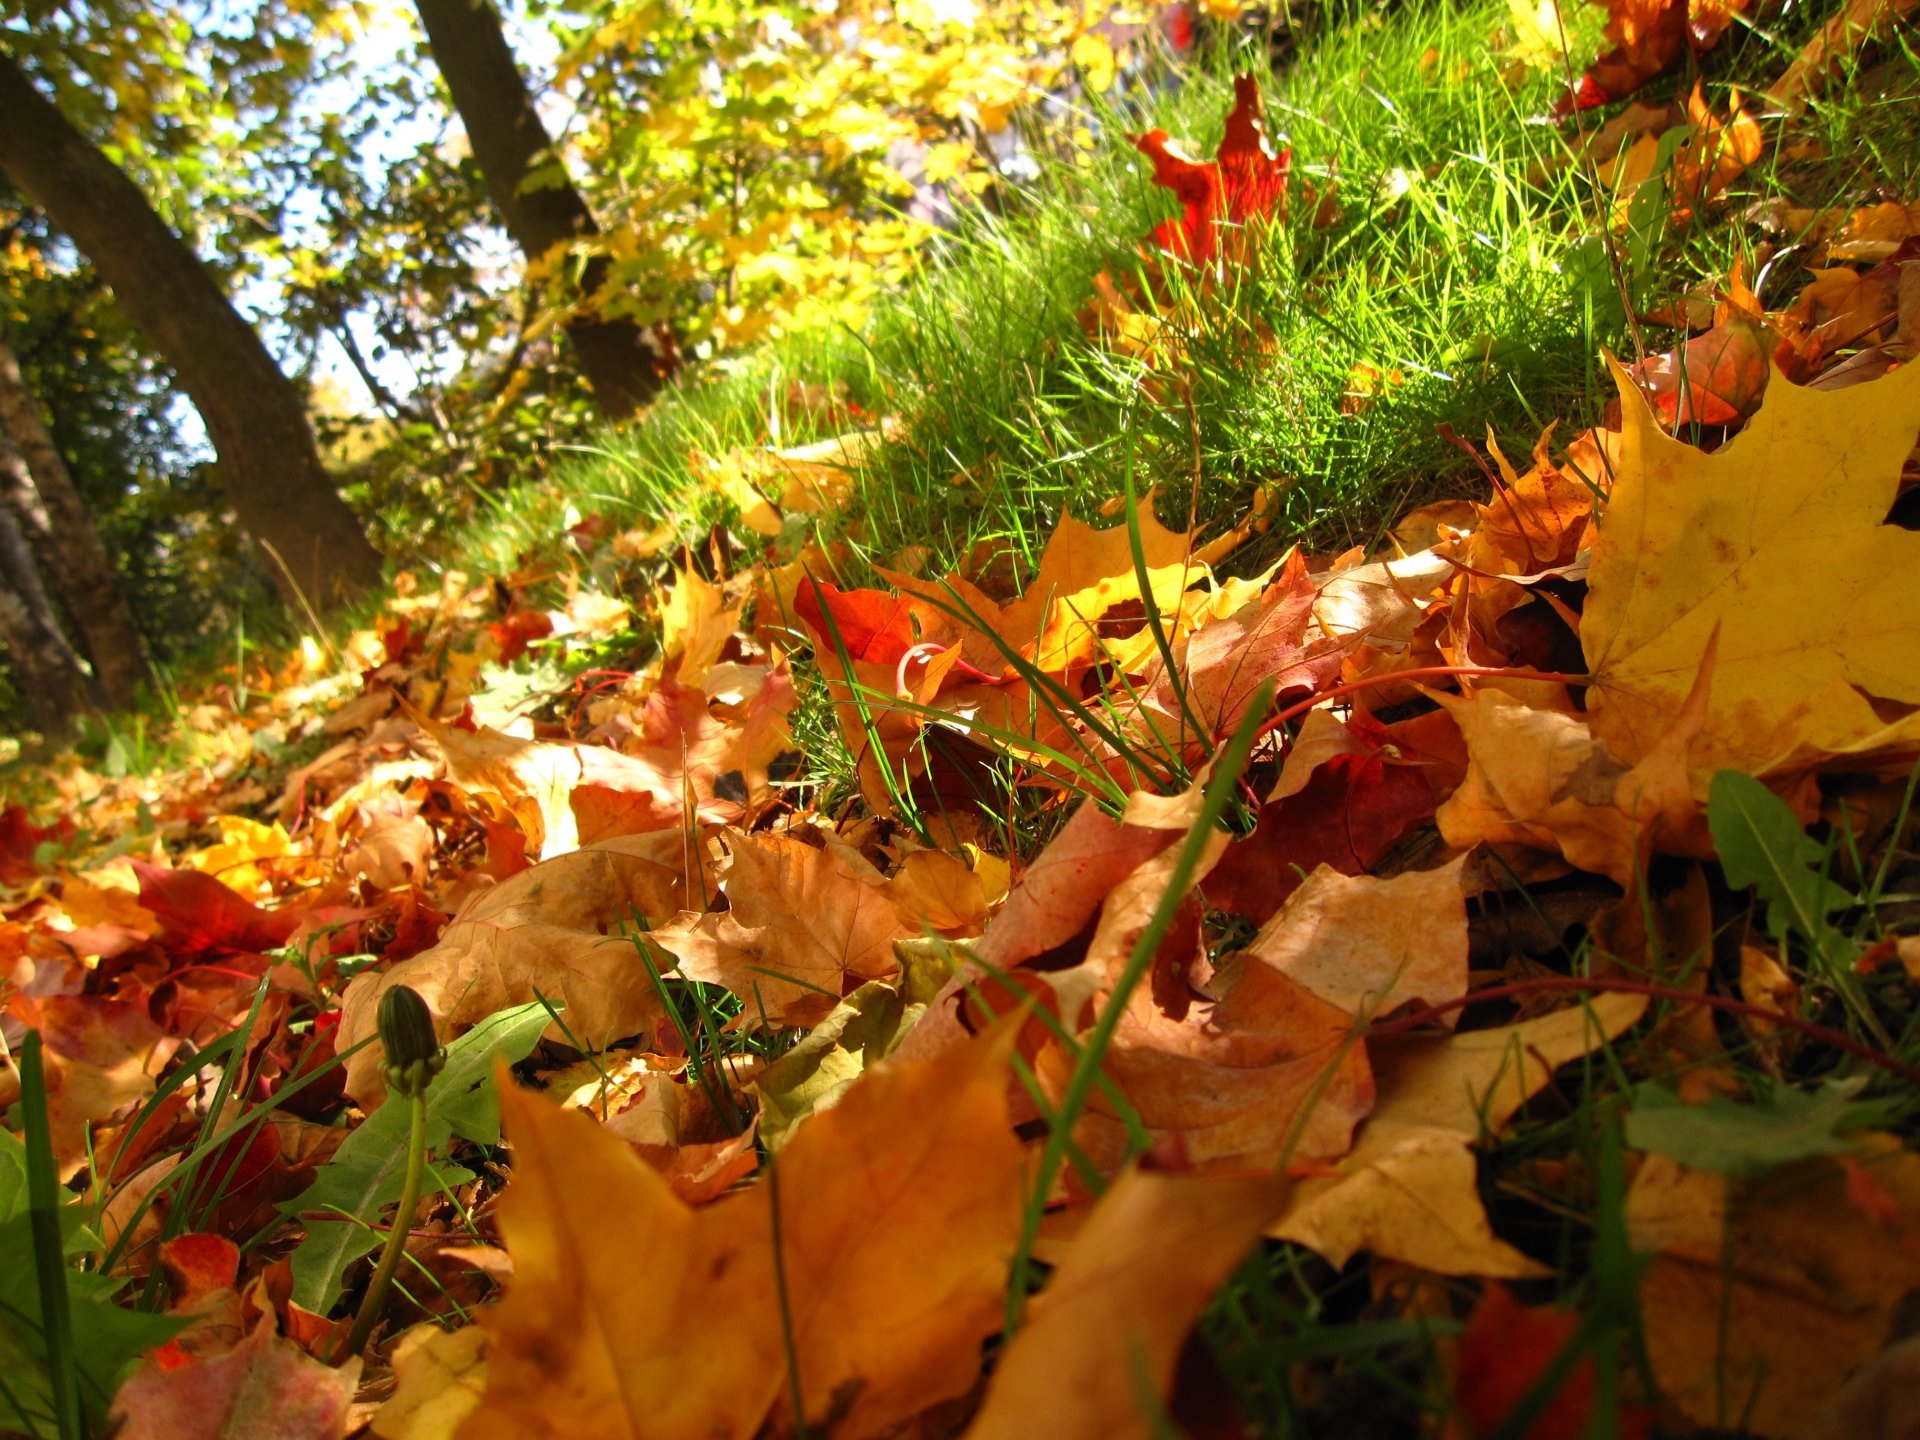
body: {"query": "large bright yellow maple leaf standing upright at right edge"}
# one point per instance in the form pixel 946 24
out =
pixel 1779 542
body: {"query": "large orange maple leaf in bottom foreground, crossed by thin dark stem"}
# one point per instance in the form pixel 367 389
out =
pixel 635 1316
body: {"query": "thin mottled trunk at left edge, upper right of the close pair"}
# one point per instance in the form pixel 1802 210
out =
pixel 70 544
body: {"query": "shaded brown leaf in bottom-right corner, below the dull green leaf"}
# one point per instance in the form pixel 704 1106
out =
pixel 1765 1295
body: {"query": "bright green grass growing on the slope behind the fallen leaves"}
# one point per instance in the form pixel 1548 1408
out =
pixel 1468 262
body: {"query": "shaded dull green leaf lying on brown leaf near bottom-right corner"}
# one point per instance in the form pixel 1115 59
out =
pixel 1750 1140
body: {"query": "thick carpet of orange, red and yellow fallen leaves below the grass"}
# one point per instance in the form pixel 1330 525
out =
pixel 1570 809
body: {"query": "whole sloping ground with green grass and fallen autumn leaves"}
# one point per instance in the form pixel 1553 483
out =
pixel 1276 809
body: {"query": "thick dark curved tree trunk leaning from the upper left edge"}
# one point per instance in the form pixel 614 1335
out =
pixel 256 418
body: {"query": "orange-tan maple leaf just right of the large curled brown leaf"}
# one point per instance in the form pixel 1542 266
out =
pixel 807 926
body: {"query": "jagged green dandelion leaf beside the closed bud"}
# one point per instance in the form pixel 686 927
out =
pixel 368 1172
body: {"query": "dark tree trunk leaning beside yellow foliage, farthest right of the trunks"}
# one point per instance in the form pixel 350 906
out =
pixel 510 141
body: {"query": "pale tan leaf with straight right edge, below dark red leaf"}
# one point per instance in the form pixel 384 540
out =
pixel 1372 946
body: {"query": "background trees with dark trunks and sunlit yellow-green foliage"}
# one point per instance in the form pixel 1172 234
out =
pixel 312 216
